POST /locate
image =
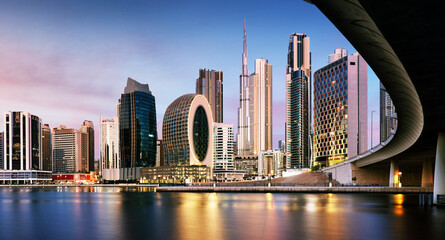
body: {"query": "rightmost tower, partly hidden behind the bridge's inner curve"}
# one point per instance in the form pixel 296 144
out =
pixel 388 117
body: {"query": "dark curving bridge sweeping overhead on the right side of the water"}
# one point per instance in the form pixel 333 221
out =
pixel 402 41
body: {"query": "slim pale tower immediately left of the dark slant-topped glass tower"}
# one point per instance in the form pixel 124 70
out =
pixel 109 143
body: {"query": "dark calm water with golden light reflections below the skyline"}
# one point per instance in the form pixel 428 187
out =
pixel 139 213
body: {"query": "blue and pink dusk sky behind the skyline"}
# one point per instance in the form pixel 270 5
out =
pixel 68 61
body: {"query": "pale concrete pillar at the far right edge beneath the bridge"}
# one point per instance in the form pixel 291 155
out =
pixel 439 171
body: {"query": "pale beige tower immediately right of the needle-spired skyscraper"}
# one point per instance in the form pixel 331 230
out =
pixel 261 106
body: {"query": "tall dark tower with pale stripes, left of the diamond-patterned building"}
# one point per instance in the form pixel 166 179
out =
pixel 298 103
